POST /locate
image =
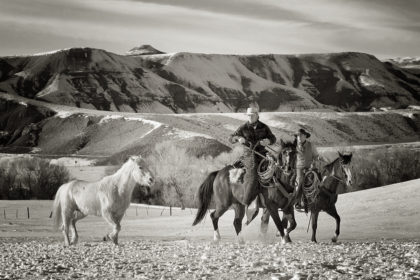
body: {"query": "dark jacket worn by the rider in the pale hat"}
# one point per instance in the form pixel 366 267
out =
pixel 253 133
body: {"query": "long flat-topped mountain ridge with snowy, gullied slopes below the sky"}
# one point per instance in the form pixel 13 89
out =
pixel 147 80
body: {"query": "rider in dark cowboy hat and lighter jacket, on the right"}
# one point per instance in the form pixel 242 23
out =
pixel 306 154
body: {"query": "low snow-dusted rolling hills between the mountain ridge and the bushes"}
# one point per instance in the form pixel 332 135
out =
pixel 57 129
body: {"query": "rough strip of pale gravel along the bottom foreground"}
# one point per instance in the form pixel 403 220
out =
pixel 182 259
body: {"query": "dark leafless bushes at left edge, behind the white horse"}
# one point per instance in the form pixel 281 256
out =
pixel 30 178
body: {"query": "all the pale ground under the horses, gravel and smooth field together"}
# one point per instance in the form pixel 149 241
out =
pixel 380 239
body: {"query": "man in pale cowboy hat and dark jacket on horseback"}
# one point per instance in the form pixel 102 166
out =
pixel 251 133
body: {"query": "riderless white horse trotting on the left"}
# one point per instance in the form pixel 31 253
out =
pixel 109 197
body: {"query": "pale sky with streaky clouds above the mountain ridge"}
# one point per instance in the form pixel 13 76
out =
pixel 384 28
